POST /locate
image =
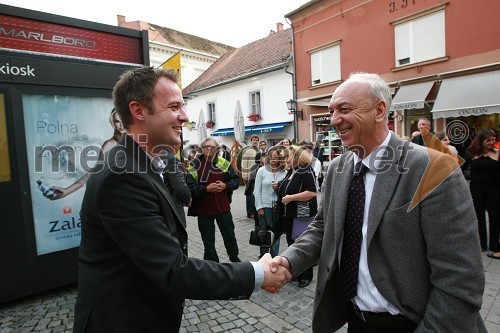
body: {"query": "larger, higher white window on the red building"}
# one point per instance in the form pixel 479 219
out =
pixel 420 39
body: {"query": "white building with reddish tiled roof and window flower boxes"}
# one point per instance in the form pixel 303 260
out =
pixel 256 78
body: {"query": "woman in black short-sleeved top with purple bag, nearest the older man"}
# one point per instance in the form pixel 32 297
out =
pixel 297 200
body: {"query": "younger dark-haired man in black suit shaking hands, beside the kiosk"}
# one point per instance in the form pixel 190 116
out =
pixel 134 273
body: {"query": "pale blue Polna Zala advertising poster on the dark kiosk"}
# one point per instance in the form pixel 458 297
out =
pixel 64 137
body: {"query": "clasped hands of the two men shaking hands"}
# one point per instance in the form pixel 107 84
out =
pixel 276 272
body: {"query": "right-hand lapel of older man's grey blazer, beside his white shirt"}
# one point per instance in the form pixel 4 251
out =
pixel 385 185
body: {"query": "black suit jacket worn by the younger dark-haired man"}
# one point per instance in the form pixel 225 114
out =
pixel 133 270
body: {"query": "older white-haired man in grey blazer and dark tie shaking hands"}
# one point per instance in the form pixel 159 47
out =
pixel 417 267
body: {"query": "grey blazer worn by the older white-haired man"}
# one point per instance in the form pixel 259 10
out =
pixel 425 261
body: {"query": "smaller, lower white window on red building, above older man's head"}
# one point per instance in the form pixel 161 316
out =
pixel 325 65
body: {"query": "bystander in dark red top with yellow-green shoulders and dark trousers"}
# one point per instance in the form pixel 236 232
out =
pixel 212 181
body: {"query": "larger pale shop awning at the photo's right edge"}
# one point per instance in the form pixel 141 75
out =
pixel 471 95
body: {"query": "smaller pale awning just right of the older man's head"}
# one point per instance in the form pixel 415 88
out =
pixel 412 96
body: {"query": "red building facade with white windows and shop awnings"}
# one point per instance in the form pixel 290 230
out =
pixel 438 63
